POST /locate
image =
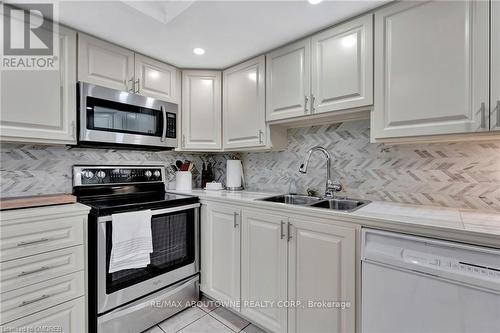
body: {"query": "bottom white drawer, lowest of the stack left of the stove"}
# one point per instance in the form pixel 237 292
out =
pixel 68 317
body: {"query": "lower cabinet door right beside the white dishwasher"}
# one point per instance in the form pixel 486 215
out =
pixel 321 268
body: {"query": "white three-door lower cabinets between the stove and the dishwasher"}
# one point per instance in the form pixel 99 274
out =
pixel 284 260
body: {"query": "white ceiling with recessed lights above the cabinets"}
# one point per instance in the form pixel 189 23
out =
pixel 229 31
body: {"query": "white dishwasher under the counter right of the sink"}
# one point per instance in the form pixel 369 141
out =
pixel 417 284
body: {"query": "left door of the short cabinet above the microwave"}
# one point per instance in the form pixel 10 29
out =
pixel 105 64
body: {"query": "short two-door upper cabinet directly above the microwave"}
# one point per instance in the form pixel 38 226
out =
pixel 108 65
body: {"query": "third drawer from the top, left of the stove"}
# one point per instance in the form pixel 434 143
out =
pixel 25 301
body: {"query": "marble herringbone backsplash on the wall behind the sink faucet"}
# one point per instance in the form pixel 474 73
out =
pixel 458 175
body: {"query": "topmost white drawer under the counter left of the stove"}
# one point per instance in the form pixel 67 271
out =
pixel 27 238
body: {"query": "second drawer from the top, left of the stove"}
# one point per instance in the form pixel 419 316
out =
pixel 22 272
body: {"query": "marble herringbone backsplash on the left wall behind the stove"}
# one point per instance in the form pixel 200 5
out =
pixel 36 169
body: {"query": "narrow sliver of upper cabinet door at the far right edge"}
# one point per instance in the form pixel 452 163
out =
pixel 495 66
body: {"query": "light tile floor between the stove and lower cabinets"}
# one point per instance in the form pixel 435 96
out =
pixel 205 318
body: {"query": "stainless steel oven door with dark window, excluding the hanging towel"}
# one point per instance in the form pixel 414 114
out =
pixel 175 256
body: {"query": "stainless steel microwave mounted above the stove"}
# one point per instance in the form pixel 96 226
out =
pixel 109 117
